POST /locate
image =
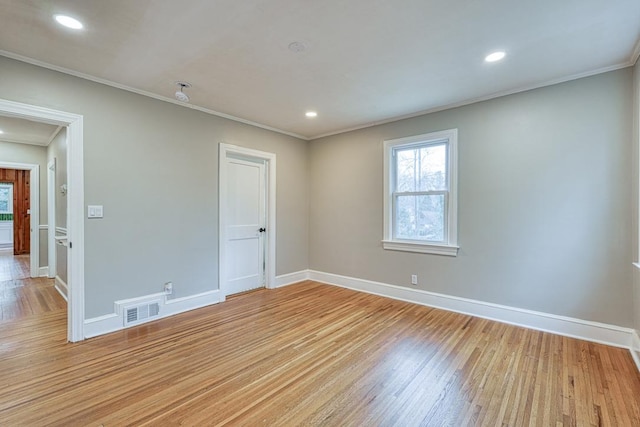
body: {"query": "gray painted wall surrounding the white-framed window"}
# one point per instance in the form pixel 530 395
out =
pixel 544 202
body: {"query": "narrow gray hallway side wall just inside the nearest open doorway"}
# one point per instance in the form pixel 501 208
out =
pixel 58 150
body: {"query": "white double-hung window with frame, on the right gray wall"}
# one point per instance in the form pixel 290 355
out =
pixel 420 199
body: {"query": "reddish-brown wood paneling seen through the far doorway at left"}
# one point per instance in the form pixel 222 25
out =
pixel 21 206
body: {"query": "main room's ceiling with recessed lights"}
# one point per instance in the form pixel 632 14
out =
pixel 364 61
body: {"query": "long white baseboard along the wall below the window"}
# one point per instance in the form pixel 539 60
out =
pixel 576 328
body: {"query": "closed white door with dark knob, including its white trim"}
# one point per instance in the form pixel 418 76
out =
pixel 247 231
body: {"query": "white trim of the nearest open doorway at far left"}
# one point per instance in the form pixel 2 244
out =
pixel 75 202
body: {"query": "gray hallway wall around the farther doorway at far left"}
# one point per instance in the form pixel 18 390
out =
pixel 33 154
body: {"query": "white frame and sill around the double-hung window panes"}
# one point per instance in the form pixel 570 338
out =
pixel 450 245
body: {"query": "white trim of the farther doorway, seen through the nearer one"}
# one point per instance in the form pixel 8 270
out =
pixel 34 207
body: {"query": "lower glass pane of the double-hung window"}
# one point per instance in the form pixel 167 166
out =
pixel 420 217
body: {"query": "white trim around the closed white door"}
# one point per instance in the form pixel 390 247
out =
pixel 270 255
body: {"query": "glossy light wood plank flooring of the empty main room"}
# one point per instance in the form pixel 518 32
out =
pixel 312 354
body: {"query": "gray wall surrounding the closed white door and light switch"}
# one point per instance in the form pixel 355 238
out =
pixel 153 165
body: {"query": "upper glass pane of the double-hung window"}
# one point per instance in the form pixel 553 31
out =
pixel 421 168
